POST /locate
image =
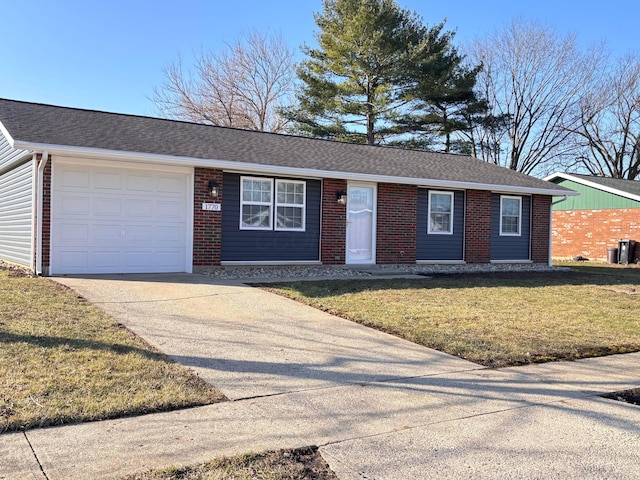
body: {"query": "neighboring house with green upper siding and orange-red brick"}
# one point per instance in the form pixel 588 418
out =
pixel 607 211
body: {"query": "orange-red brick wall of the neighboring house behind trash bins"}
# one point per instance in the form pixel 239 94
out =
pixel 590 232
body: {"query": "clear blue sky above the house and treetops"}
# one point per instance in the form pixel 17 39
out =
pixel 109 55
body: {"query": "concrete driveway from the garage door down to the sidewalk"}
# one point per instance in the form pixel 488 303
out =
pixel 251 343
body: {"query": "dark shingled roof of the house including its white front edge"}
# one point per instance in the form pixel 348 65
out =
pixel 36 127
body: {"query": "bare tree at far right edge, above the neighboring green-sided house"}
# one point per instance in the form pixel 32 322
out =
pixel 608 132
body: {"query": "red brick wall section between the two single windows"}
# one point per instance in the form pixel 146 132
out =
pixel 477 230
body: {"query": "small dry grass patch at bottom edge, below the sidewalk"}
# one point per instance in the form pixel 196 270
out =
pixel 304 463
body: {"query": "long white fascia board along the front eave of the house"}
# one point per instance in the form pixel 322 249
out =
pixel 100 153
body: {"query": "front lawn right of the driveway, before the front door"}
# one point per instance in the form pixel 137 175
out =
pixel 494 319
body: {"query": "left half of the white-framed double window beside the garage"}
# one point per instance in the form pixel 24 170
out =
pixel 256 204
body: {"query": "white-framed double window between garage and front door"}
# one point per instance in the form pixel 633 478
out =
pixel 258 202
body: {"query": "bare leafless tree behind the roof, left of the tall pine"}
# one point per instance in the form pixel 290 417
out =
pixel 244 86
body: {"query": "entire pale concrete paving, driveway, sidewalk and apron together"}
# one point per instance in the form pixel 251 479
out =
pixel 379 407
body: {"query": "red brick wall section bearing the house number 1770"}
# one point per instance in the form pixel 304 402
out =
pixel 207 225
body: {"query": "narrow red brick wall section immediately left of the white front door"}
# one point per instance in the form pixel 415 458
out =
pixel 333 228
